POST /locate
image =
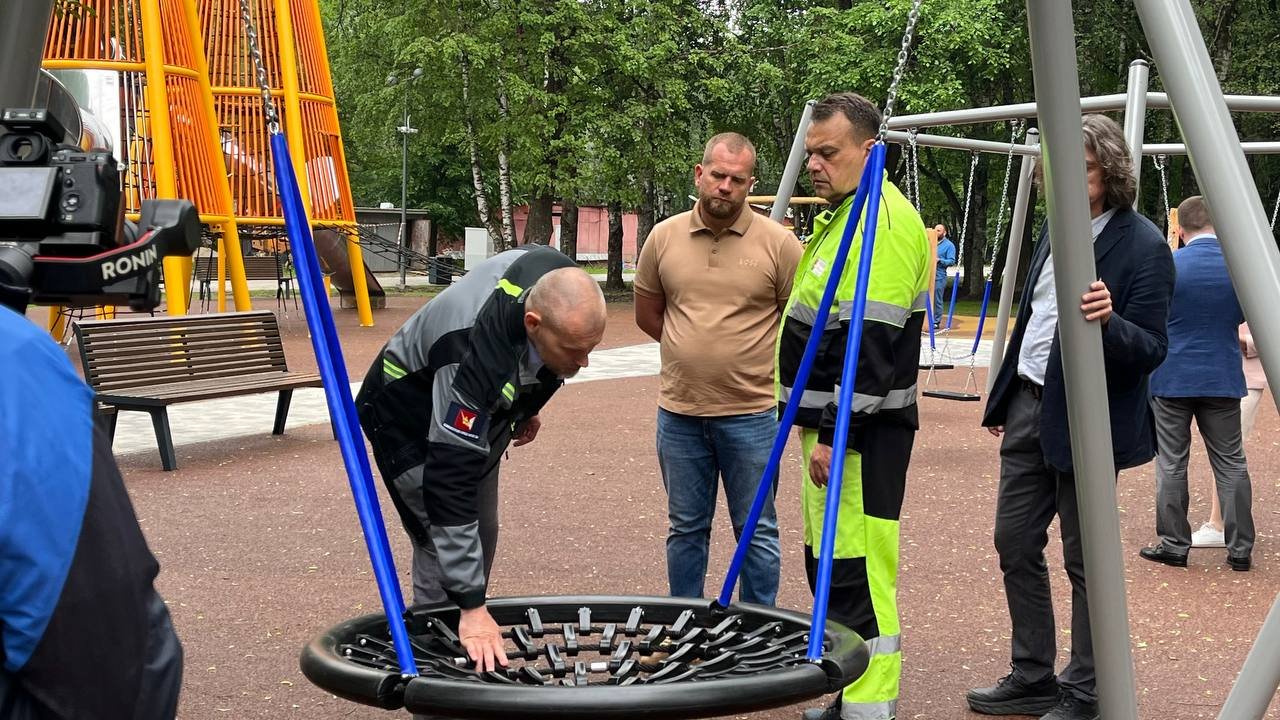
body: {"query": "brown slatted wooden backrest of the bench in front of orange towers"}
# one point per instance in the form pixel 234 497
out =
pixel 145 352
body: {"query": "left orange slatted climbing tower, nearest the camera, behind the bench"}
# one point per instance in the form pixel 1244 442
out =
pixel 140 67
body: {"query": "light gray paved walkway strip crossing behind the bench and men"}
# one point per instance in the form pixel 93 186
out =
pixel 234 417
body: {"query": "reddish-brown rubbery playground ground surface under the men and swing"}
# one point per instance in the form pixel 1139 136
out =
pixel 262 550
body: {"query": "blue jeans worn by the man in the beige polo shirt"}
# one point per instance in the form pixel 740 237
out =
pixel 693 453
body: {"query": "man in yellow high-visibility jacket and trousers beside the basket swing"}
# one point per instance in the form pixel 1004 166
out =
pixel 884 423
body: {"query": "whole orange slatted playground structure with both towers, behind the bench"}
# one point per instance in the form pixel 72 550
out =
pixel 173 84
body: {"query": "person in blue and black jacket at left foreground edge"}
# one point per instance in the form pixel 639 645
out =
pixel 84 634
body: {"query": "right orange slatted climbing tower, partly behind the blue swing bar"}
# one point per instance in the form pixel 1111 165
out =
pixel 291 39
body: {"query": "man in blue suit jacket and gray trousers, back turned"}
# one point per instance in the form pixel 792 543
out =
pixel 1203 379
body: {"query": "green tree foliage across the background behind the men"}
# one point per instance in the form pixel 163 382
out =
pixel 611 101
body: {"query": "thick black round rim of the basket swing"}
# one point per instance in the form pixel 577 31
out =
pixel 323 664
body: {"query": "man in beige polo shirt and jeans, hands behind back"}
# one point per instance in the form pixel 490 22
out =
pixel 711 288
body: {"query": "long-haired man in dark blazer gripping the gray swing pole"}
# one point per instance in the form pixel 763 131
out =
pixel 1028 407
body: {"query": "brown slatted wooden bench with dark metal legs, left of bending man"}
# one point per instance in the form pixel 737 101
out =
pixel 148 364
